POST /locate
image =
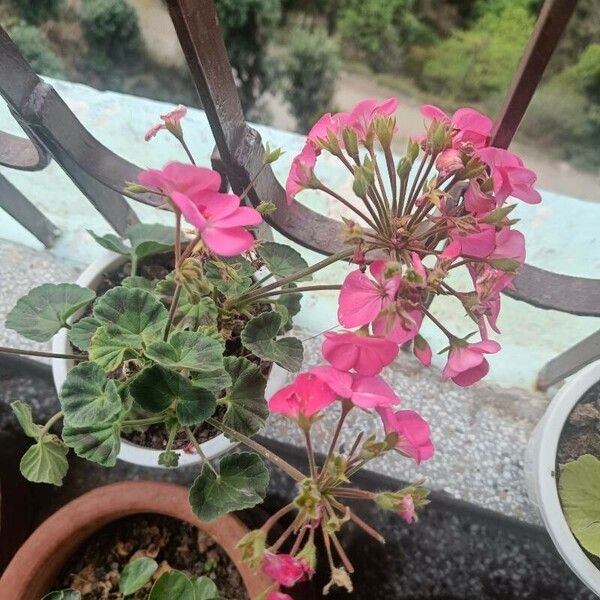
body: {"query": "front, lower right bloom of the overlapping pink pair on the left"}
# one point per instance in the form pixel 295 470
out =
pixel 220 220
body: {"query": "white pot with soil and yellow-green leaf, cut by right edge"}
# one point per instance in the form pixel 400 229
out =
pixel 563 473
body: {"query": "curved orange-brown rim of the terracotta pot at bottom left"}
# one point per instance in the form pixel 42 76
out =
pixel 34 568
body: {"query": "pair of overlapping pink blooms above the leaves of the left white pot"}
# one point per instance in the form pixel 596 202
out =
pixel 218 217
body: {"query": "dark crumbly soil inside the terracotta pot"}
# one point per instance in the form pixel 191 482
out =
pixel 95 569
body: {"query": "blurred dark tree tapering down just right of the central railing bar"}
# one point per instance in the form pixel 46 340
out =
pixel 247 26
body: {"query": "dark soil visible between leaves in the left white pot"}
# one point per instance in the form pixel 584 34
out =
pixel 156 436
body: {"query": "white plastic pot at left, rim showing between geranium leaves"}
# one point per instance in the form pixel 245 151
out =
pixel 132 453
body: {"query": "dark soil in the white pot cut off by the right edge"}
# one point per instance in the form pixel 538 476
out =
pixel 581 435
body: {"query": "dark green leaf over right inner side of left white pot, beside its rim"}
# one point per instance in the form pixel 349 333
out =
pixel 245 399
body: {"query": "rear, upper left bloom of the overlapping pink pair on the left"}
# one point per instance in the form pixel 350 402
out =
pixel 179 177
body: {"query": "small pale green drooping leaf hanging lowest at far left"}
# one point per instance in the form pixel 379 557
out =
pixel 45 461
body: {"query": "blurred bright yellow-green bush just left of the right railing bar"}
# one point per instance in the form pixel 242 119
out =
pixel 471 65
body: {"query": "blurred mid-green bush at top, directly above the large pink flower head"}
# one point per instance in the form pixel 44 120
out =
pixel 382 31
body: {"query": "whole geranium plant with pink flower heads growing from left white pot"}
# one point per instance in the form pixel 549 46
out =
pixel 201 336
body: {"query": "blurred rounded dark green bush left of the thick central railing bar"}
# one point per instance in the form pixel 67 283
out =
pixel 112 32
